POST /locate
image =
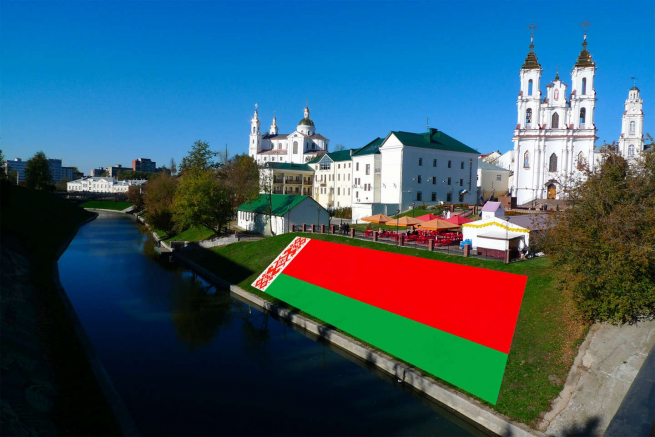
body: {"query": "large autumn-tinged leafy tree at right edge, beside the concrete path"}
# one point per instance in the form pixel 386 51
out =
pixel 604 245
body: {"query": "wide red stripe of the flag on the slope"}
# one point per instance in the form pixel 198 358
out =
pixel 477 304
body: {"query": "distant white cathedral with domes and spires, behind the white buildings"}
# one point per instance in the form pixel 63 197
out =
pixel 298 147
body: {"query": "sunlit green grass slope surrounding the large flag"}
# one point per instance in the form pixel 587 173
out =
pixel 545 341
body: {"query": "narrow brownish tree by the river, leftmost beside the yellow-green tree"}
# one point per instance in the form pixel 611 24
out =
pixel 158 197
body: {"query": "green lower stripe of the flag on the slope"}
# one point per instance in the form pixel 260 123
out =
pixel 471 366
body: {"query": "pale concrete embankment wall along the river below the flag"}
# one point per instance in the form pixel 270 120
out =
pixel 473 410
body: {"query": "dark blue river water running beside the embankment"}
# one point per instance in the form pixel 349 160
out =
pixel 188 359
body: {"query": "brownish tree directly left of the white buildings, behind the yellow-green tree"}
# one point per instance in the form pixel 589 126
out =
pixel 241 175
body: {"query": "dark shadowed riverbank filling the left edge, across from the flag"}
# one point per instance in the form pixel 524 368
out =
pixel 49 386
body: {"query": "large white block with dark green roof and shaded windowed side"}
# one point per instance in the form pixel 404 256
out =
pixel 428 168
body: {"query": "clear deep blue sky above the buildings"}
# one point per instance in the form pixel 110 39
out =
pixel 98 83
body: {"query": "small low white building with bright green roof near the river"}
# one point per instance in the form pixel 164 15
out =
pixel 279 214
